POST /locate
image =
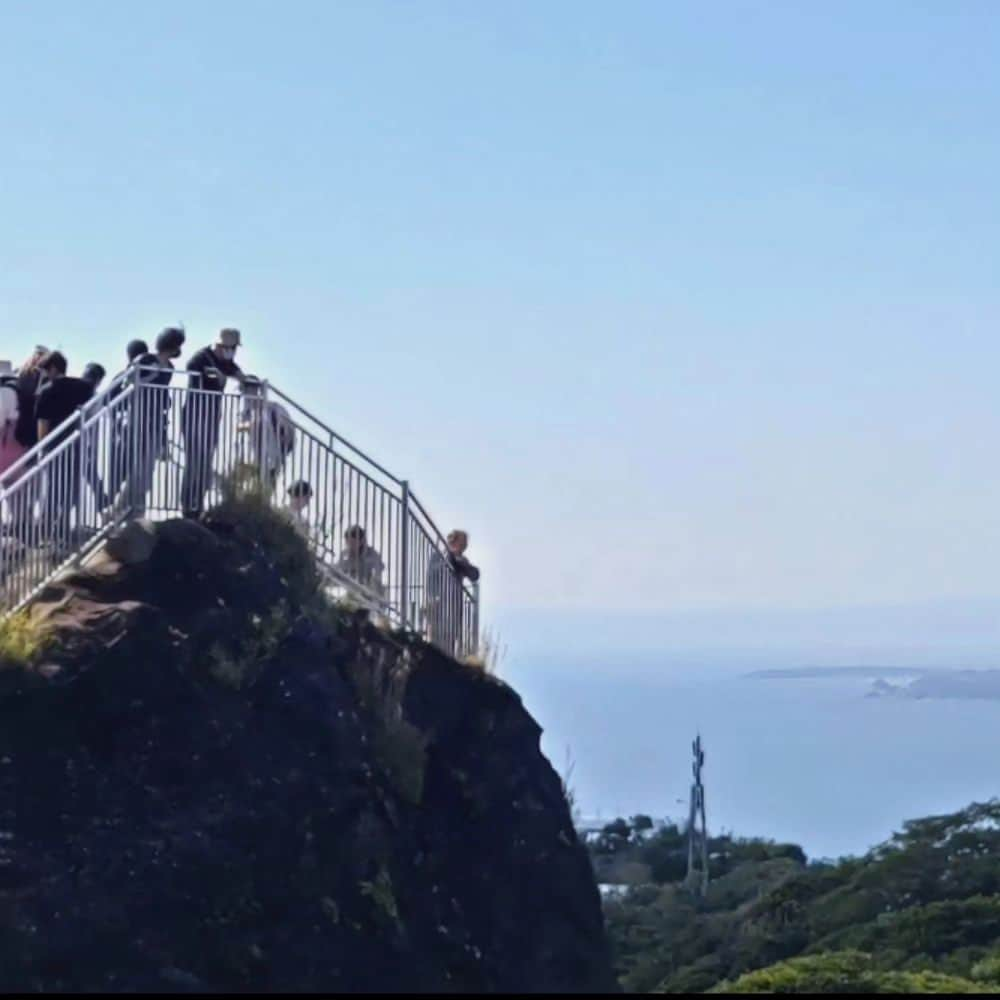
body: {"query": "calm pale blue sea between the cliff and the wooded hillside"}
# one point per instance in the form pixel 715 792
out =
pixel 811 761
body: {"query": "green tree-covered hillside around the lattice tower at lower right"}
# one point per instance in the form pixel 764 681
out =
pixel 919 914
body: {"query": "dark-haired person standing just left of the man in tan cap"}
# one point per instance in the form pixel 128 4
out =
pixel 146 435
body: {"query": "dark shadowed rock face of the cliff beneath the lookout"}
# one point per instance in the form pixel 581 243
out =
pixel 196 795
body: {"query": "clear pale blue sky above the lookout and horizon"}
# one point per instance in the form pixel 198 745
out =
pixel 672 305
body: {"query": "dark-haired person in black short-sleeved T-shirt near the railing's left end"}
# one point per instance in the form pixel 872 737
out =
pixel 58 402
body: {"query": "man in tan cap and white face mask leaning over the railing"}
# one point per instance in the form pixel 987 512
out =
pixel 208 371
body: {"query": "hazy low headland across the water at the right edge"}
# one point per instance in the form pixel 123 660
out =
pixel 940 683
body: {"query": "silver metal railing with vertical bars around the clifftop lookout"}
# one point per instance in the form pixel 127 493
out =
pixel 146 448
